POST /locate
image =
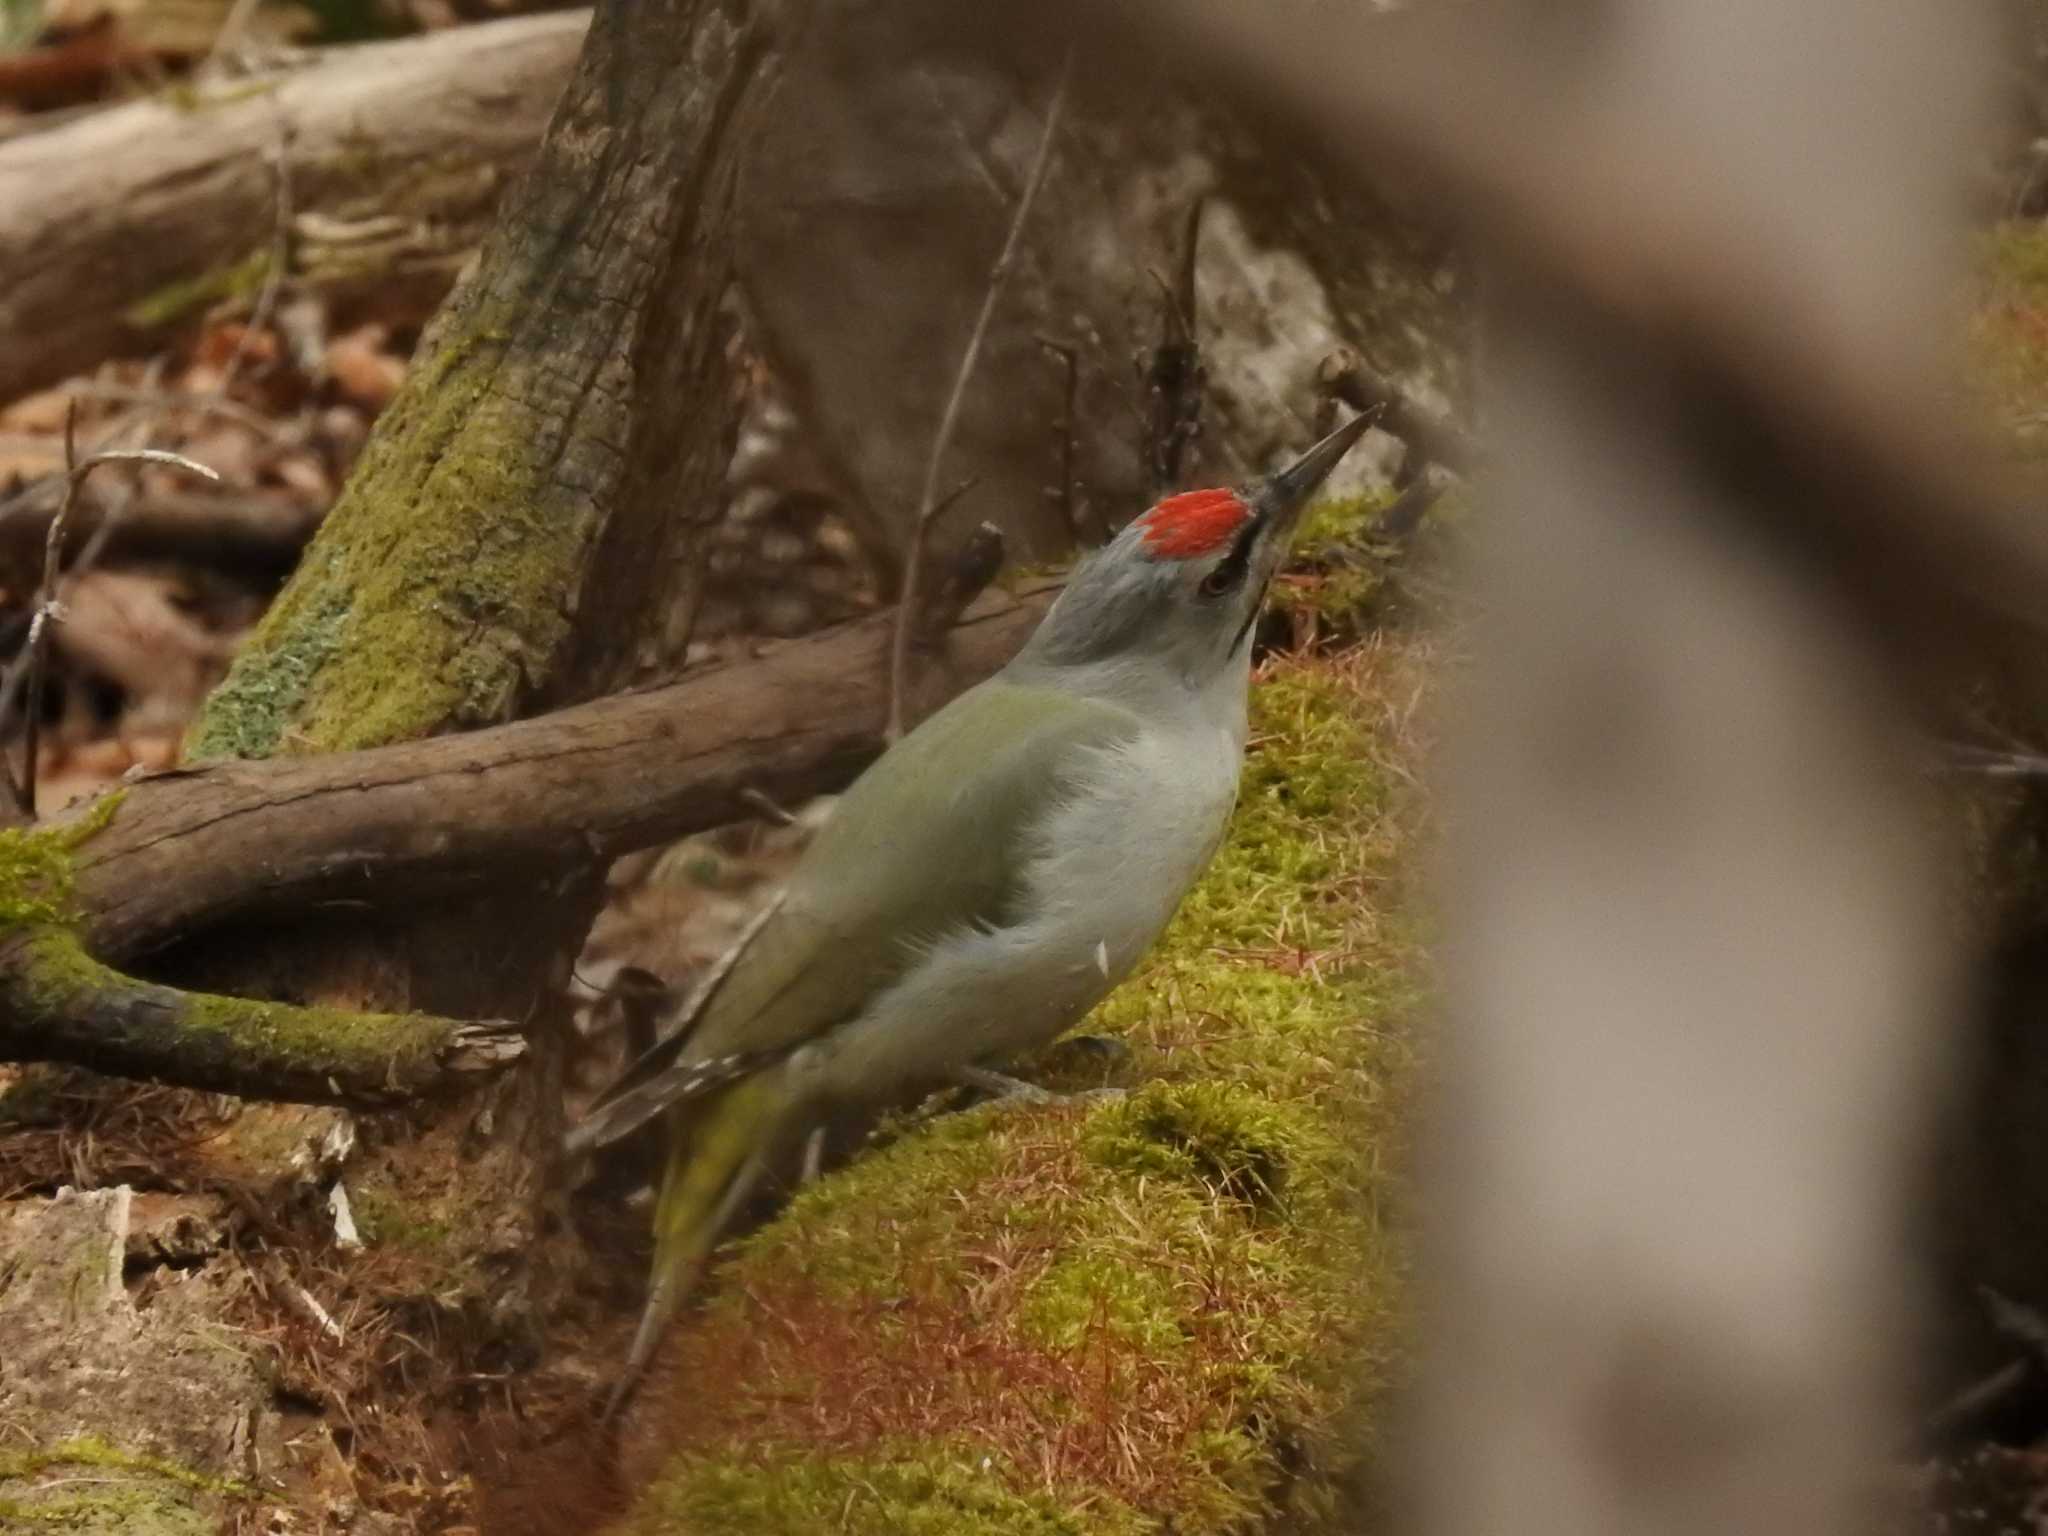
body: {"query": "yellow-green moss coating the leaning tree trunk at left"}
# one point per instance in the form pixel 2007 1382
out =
pixel 437 591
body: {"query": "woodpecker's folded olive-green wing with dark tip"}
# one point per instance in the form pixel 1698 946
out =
pixel 923 845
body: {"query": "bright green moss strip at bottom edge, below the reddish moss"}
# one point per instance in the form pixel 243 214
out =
pixel 919 1492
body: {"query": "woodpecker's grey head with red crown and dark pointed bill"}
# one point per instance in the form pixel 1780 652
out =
pixel 1183 585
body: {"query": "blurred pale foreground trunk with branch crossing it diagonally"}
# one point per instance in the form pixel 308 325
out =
pixel 1697 962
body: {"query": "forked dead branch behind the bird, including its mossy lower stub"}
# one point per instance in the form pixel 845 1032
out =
pixel 191 847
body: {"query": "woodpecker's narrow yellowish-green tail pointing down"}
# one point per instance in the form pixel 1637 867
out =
pixel 716 1164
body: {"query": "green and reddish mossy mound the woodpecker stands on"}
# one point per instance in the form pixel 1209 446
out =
pixel 1134 1316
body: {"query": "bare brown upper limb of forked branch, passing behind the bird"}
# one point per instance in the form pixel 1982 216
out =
pixel 202 845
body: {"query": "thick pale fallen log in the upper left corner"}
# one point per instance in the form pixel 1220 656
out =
pixel 140 218
